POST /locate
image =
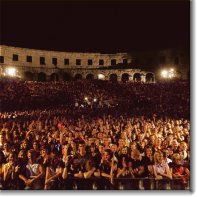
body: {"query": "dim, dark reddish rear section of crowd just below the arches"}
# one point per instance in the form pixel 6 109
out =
pixel 170 99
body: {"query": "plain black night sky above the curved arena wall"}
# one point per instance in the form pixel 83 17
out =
pixel 95 26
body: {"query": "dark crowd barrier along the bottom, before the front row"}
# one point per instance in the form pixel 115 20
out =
pixel 125 184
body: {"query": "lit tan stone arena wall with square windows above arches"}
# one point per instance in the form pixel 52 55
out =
pixel 45 65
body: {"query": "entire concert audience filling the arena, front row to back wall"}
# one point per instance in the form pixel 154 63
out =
pixel 94 135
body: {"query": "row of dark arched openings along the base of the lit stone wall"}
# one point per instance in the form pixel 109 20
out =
pixel 67 77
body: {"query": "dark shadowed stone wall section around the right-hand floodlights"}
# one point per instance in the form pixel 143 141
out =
pixel 178 59
